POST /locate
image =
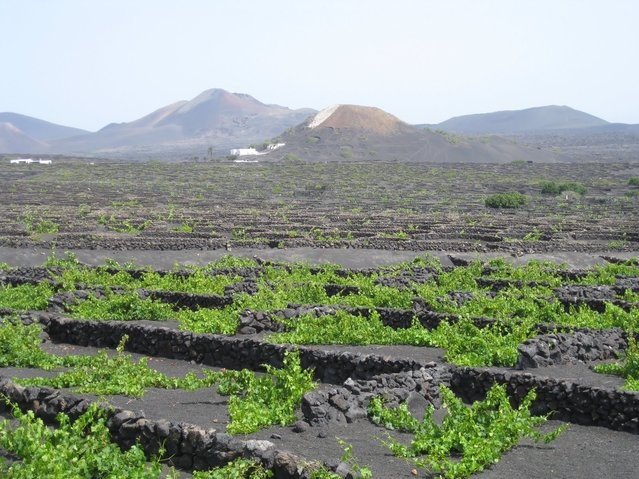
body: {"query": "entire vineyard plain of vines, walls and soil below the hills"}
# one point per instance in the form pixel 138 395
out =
pixel 309 321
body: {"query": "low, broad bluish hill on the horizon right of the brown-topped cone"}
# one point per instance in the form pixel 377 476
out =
pixel 544 118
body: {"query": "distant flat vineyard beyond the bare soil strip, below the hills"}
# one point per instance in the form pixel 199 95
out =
pixel 110 205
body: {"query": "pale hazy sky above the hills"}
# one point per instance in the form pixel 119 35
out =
pixel 87 63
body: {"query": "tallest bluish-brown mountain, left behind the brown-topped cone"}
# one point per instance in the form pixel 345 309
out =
pixel 215 118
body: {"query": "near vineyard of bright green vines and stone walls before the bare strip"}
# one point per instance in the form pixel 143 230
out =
pixel 267 355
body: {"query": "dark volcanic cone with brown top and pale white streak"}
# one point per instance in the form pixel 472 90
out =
pixel 350 132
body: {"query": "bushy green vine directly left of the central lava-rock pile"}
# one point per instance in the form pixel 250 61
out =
pixel 273 398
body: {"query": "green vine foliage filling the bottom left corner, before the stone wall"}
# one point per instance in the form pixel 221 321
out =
pixel 79 450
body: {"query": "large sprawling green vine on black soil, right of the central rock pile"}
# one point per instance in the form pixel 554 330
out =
pixel 469 438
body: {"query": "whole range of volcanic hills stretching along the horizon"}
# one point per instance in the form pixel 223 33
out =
pixel 217 120
